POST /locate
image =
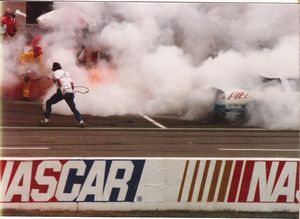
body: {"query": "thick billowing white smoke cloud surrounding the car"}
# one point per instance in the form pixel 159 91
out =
pixel 167 57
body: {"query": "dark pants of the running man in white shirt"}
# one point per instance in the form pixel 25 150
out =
pixel 58 96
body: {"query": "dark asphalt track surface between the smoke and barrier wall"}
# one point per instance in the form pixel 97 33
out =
pixel 136 136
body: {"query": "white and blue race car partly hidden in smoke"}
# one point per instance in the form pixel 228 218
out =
pixel 234 105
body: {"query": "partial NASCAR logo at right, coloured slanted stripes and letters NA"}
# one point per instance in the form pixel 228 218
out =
pixel 240 181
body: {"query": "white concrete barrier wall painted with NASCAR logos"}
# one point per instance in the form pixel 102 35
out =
pixel 150 184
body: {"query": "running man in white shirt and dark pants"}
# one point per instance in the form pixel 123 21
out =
pixel 65 91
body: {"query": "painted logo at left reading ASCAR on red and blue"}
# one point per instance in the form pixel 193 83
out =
pixel 70 180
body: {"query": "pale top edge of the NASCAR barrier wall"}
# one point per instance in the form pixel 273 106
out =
pixel 157 158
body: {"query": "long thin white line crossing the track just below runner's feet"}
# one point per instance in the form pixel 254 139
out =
pixel 128 128
